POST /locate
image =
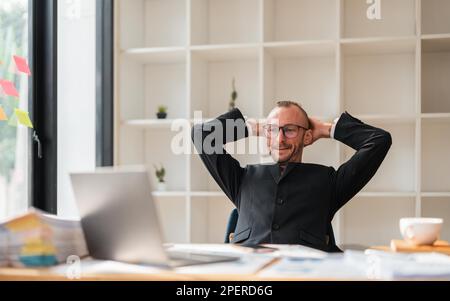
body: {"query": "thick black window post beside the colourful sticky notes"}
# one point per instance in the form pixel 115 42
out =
pixel 43 104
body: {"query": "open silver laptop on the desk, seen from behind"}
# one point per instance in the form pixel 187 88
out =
pixel 120 221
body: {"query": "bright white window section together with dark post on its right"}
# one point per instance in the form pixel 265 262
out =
pixel 85 75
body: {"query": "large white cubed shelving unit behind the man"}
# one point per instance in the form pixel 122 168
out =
pixel 326 54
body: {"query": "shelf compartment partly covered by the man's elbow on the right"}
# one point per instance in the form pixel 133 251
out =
pixel 397 172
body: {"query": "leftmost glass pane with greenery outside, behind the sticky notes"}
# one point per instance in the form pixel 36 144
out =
pixel 14 140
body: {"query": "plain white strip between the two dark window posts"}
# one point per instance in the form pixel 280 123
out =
pixel 76 96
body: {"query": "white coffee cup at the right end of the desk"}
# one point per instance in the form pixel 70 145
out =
pixel 421 231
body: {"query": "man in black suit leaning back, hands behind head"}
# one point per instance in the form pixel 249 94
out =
pixel 289 202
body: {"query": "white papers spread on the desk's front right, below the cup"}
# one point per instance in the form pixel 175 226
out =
pixel 369 265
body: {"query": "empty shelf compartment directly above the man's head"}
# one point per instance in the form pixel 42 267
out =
pixel 313 66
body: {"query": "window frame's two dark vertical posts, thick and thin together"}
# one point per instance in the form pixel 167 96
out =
pixel 43 93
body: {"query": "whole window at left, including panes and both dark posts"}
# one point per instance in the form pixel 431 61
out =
pixel 69 47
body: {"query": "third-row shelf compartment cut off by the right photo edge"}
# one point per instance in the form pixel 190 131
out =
pixel 435 153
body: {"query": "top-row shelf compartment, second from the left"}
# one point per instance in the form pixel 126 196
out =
pixel 225 22
